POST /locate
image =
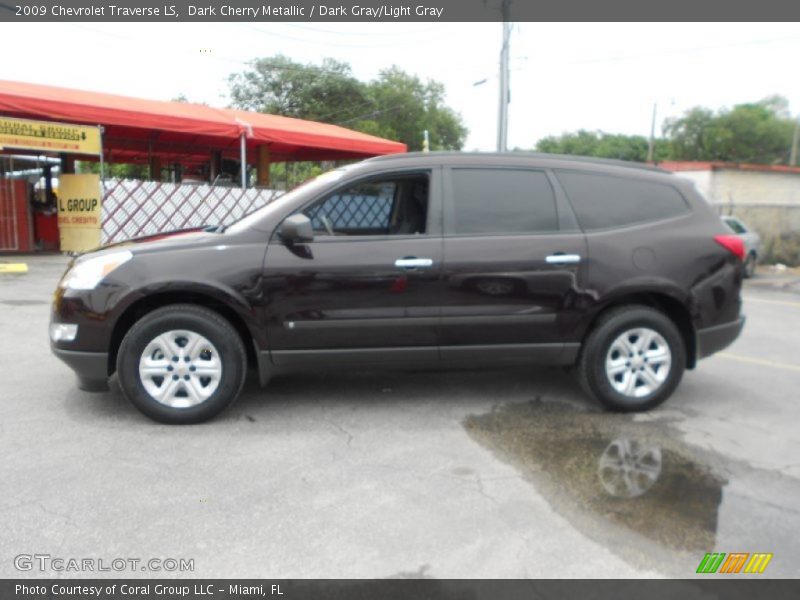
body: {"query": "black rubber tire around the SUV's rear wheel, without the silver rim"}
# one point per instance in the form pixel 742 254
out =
pixel 597 346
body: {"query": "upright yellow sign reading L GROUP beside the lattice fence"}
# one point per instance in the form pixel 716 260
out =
pixel 79 212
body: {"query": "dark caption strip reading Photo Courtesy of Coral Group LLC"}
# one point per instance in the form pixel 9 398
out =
pixel 396 589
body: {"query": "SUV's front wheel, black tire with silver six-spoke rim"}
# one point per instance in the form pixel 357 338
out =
pixel 181 364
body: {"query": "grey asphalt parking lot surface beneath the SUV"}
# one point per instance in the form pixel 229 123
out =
pixel 423 474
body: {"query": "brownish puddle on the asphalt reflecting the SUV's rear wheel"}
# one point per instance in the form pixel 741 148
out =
pixel 617 480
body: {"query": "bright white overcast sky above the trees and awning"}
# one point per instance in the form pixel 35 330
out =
pixel 564 76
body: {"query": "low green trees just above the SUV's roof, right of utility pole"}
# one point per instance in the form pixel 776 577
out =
pixel 602 145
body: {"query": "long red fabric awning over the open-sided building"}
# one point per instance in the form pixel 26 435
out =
pixel 136 129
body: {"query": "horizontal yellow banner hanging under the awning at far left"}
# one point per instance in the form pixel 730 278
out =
pixel 44 136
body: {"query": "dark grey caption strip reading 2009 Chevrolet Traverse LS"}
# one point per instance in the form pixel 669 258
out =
pixel 396 10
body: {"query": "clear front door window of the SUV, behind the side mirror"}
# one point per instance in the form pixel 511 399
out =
pixel 386 206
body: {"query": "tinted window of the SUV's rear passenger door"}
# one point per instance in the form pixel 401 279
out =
pixel 502 201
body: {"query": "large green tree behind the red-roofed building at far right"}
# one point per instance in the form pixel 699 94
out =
pixel 759 132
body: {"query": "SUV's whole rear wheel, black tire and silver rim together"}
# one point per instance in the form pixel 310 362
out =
pixel 633 359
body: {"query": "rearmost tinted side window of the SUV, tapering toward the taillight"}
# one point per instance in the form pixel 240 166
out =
pixel 605 201
